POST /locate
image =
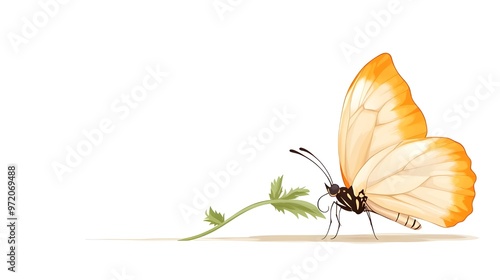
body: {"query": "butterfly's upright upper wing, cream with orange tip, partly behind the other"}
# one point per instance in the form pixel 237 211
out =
pixel 378 112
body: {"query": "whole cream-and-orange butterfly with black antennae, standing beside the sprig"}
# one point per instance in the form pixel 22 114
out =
pixel 389 166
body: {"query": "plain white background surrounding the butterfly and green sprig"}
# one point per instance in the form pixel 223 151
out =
pixel 228 73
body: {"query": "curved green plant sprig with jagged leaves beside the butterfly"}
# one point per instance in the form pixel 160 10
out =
pixel 282 201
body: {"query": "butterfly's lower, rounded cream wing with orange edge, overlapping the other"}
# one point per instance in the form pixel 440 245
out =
pixel 429 178
